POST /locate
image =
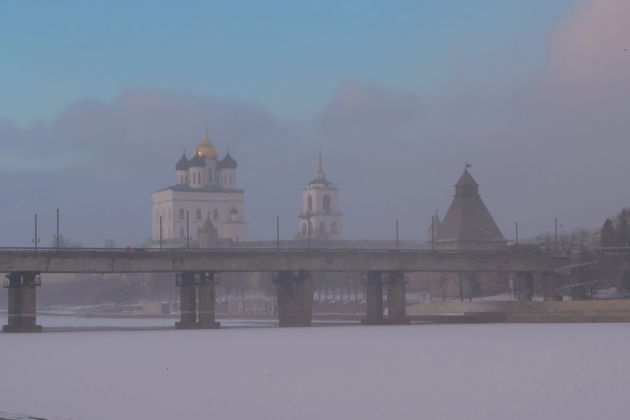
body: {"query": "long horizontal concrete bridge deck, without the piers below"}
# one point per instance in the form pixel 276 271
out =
pixel 241 260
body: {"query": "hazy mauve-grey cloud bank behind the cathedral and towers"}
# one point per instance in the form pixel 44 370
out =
pixel 551 145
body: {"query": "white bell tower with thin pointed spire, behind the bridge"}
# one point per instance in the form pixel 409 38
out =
pixel 320 208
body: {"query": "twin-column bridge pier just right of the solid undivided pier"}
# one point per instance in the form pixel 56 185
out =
pixel 396 307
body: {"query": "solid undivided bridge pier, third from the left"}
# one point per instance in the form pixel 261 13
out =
pixel 295 298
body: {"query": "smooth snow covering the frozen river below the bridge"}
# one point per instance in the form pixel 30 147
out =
pixel 485 371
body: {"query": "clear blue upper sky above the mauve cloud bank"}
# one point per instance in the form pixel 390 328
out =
pixel 288 56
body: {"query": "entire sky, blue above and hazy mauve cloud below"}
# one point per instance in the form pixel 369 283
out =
pixel 98 99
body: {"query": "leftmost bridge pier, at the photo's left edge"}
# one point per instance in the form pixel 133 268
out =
pixel 22 305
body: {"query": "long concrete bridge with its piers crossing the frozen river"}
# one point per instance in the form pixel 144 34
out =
pixel 195 270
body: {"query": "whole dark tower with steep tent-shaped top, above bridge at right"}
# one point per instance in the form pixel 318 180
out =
pixel 468 224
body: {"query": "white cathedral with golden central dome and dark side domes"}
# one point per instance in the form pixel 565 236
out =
pixel 205 195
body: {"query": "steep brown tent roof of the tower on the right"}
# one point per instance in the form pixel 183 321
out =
pixel 468 219
